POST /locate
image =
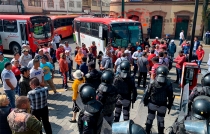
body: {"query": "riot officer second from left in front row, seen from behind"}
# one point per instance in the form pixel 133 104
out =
pixel 106 94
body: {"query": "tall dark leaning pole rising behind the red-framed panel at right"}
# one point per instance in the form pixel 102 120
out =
pixel 193 29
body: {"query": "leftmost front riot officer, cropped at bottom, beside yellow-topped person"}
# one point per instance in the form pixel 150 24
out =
pixel 90 118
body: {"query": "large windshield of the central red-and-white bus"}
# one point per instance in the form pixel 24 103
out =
pixel 123 34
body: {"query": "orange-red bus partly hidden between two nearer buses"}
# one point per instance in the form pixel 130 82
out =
pixel 63 25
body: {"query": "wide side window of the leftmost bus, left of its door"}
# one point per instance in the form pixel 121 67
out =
pixel 10 26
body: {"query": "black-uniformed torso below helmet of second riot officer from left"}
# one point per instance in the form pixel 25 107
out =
pixel 109 96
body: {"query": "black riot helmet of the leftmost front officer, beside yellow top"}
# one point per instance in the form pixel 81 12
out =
pixel 87 93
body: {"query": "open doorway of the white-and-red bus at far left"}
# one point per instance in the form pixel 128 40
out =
pixel 23 32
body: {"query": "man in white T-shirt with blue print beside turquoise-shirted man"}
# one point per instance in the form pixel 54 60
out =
pixel 37 72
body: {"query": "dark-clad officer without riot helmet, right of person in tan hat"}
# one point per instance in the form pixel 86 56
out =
pixel 93 77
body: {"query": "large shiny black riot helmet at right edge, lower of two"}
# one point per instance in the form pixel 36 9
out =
pixel 201 107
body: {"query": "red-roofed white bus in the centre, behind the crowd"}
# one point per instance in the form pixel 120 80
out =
pixel 117 31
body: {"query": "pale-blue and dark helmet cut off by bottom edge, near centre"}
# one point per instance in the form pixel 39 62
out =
pixel 127 127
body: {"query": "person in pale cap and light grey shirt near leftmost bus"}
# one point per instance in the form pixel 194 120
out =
pixel 25 57
